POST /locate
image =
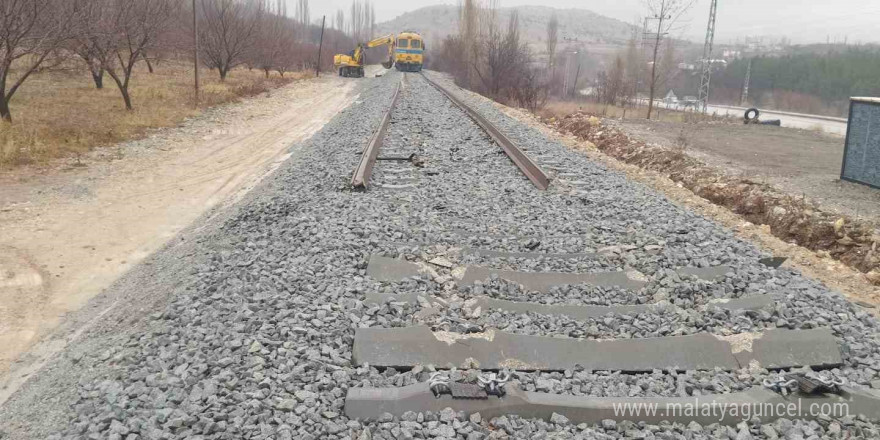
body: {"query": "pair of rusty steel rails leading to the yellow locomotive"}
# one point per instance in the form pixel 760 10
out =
pixel 533 171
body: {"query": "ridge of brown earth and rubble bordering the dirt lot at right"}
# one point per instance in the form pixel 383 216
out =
pixel 794 219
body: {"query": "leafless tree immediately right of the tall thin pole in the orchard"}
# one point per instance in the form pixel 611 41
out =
pixel 229 31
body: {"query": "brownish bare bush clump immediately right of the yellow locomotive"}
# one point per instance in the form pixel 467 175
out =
pixel 491 59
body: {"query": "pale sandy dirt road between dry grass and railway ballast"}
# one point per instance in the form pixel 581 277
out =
pixel 67 235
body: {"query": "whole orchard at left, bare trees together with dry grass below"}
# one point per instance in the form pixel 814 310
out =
pixel 78 74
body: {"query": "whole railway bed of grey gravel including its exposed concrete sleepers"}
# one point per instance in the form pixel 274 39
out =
pixel 454 301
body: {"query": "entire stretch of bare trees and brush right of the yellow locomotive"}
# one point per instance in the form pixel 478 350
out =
pixel 492 60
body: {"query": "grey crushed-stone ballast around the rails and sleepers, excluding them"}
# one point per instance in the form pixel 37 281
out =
pixel 255 339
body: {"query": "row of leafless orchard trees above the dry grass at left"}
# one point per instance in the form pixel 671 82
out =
pixel 111 37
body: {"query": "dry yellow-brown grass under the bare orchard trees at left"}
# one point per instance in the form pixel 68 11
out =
pixel 58 114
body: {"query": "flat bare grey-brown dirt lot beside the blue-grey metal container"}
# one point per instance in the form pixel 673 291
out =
pixel 799 162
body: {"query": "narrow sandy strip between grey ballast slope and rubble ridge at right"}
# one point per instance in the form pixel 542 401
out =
pixel 816 265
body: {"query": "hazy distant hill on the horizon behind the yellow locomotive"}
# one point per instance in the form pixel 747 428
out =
pixel 576 26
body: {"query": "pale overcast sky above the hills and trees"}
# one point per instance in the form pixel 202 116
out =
pixel 804 21
